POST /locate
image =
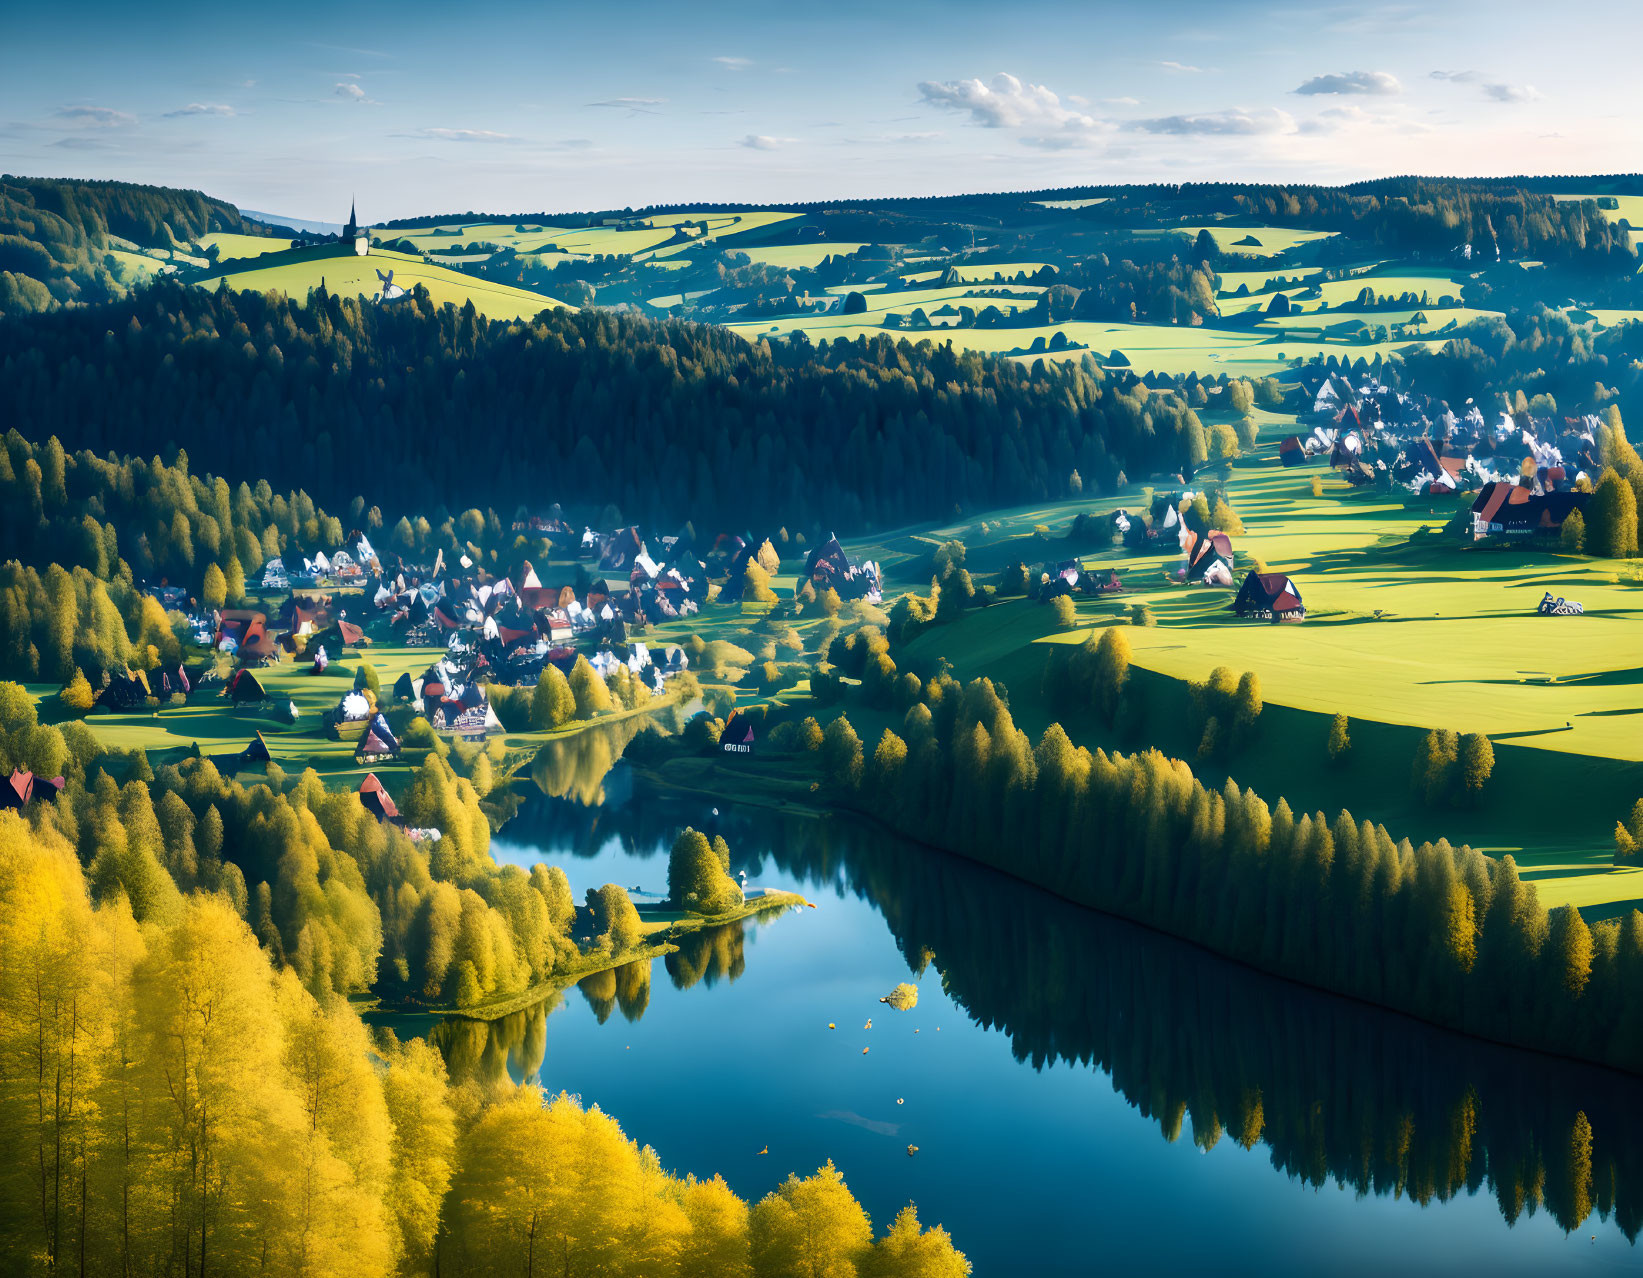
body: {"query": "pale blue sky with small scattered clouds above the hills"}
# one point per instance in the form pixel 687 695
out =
pixel 421 108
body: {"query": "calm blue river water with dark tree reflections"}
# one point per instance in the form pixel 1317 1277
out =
pixel 1085 1096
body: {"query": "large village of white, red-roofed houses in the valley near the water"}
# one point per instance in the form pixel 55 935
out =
pixel 418 655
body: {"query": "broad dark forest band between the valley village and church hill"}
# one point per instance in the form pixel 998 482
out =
pixel 666 420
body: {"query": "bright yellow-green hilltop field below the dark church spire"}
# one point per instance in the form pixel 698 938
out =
pixel 349 275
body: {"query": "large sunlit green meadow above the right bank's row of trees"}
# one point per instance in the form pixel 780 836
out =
pixel 1457 645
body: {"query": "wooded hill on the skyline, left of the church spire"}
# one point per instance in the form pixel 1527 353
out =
pixel 57 236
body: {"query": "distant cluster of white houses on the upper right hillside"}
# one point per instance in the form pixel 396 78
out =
pixel 1526 467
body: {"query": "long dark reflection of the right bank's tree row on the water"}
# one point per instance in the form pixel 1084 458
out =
pixel 1337 1092
